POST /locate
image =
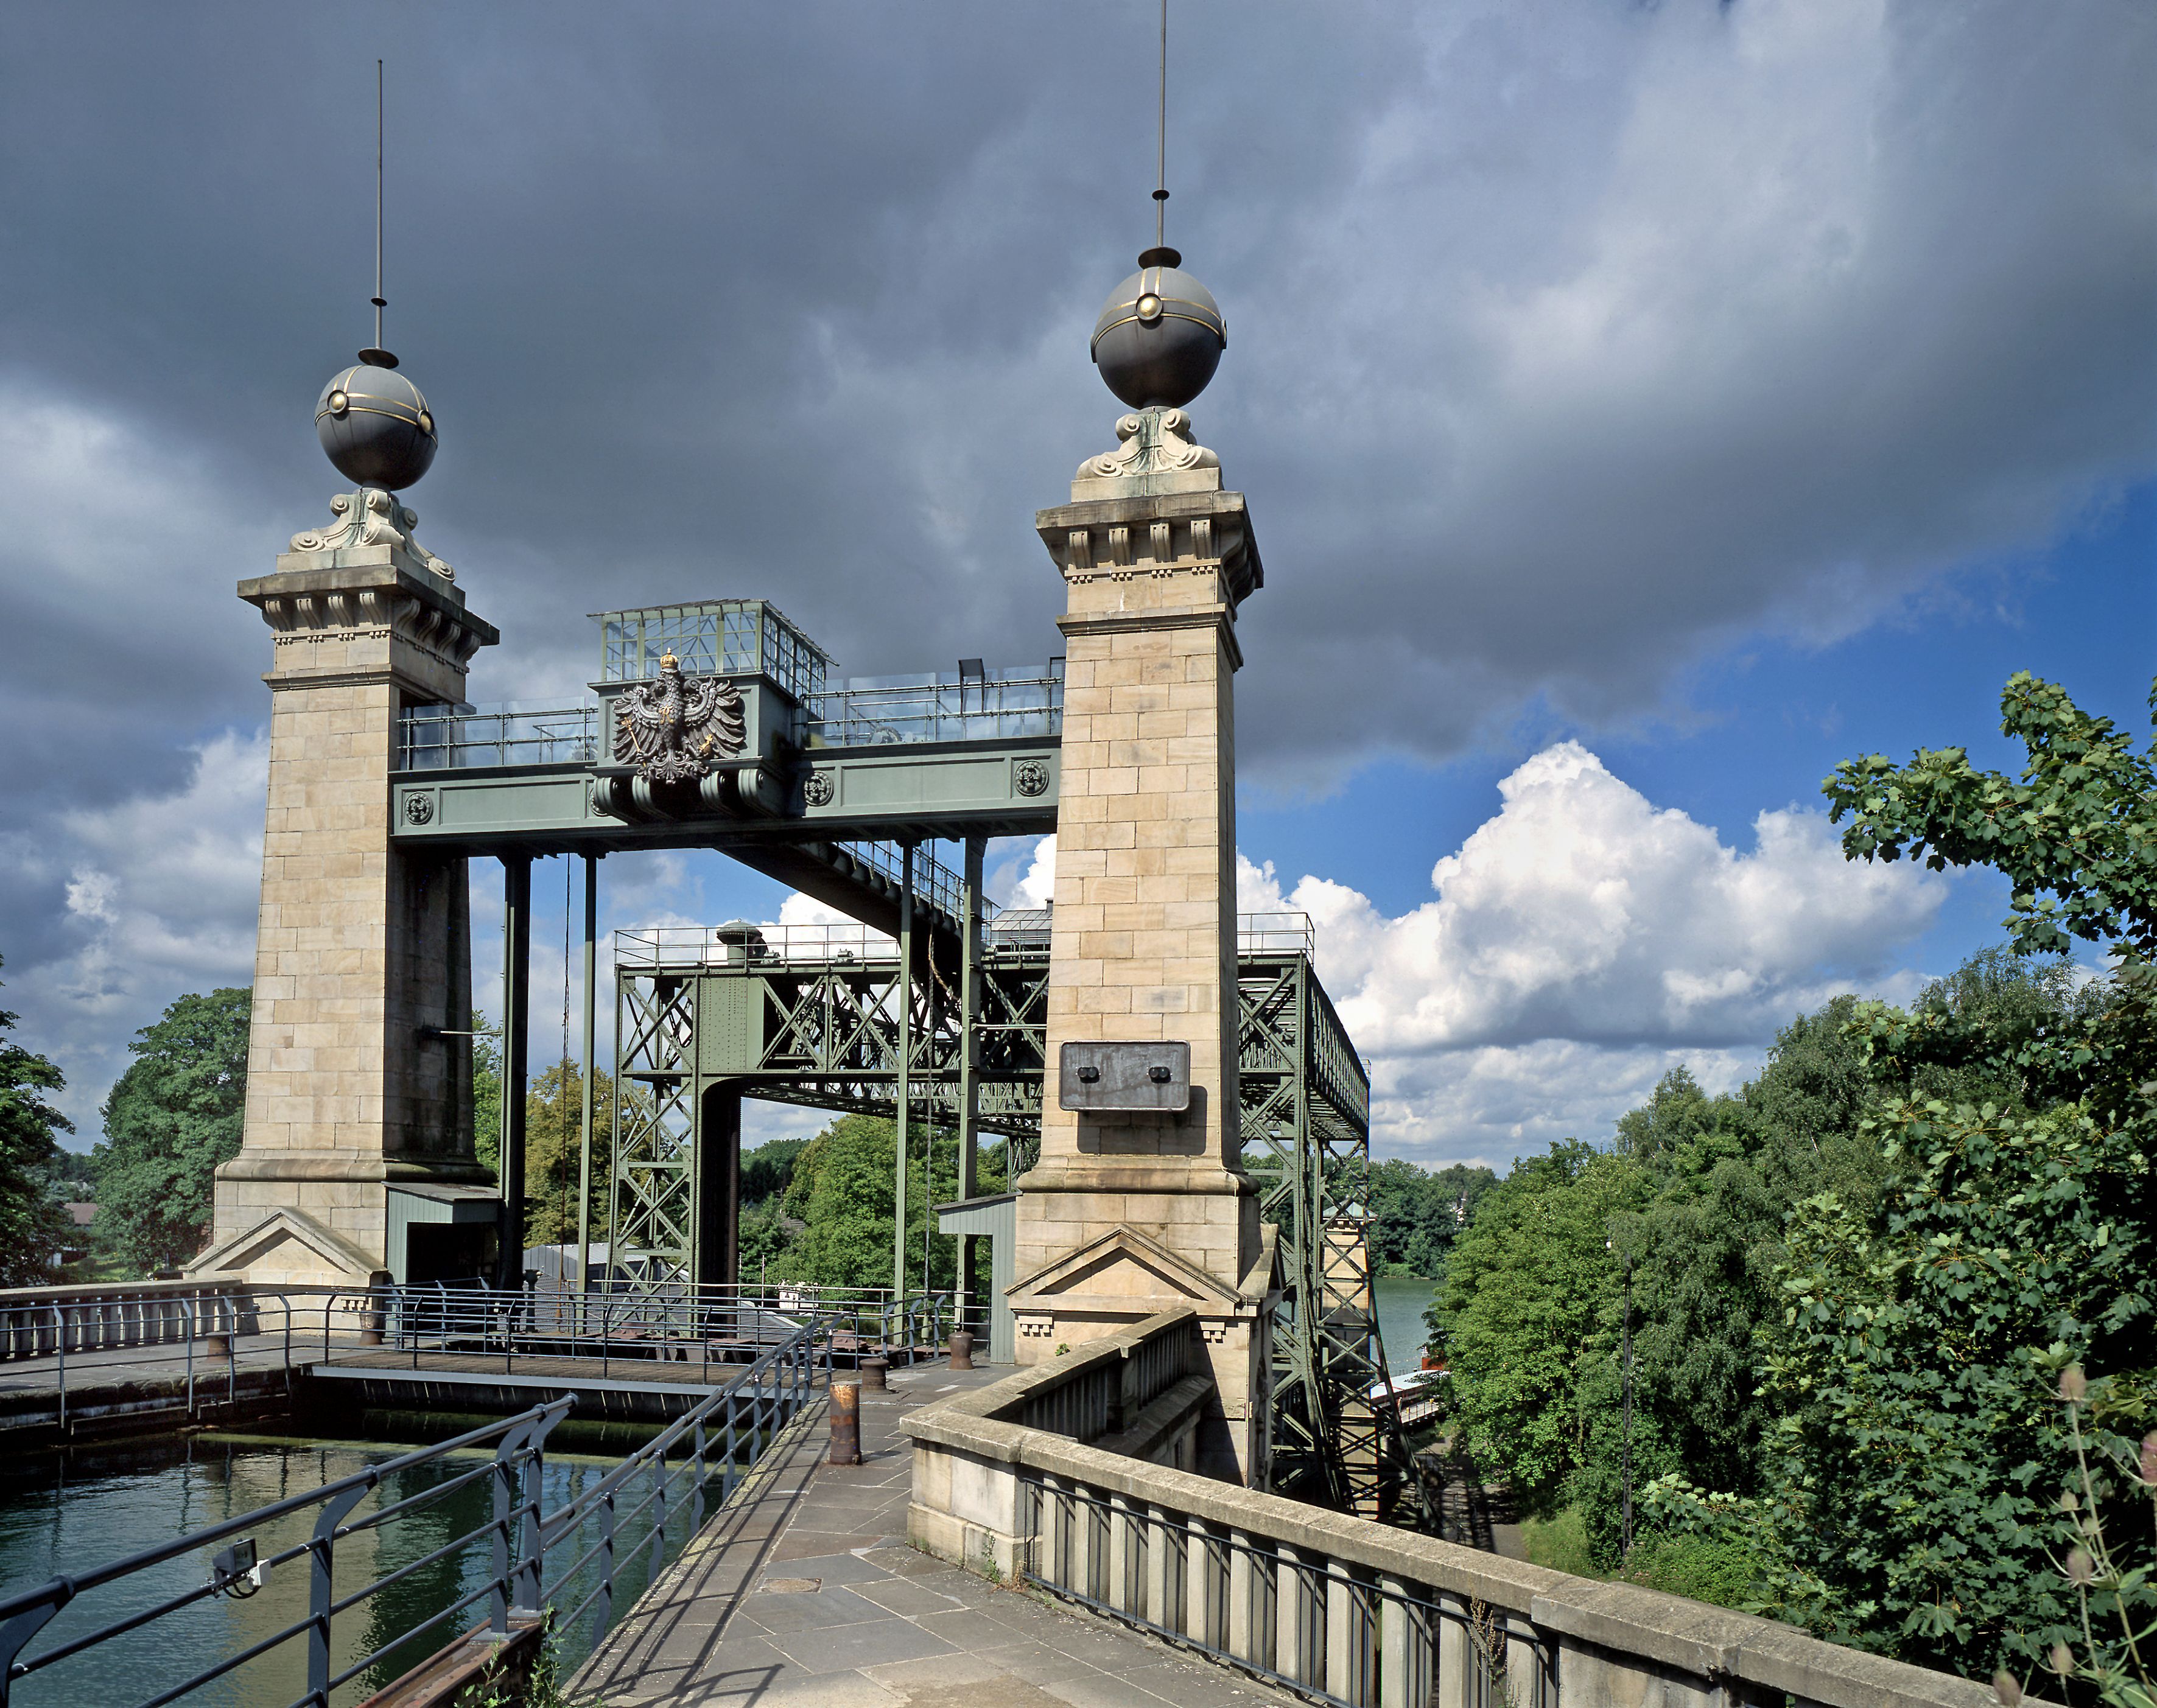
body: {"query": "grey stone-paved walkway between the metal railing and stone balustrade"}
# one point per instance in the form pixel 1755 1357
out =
pixel 806 1595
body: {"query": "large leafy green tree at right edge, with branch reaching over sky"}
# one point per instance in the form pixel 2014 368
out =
pixel 1923 1459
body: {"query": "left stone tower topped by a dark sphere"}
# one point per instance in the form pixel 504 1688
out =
pixel 361 952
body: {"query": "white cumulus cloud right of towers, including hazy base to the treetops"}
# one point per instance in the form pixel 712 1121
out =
pixel 1584 941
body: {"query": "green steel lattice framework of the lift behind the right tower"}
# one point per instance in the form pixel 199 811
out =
pixel 823 1034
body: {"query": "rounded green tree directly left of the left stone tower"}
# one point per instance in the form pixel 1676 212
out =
pixel 169 1122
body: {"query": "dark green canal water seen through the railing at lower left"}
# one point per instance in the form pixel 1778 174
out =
pixel 66 1513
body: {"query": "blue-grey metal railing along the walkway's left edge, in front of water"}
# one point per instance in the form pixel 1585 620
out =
pixel 534 1556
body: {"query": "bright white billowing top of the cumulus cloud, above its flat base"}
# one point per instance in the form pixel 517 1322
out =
pixel 1584 913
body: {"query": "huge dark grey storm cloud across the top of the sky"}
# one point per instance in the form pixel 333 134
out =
pixel 1567 342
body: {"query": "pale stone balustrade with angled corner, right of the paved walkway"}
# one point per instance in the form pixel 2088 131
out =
pixel 1067 1476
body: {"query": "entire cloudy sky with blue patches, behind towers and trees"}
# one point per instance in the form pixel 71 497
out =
pixel 1643 409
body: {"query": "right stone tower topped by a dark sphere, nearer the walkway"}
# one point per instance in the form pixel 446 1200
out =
pixel 1131 1213
